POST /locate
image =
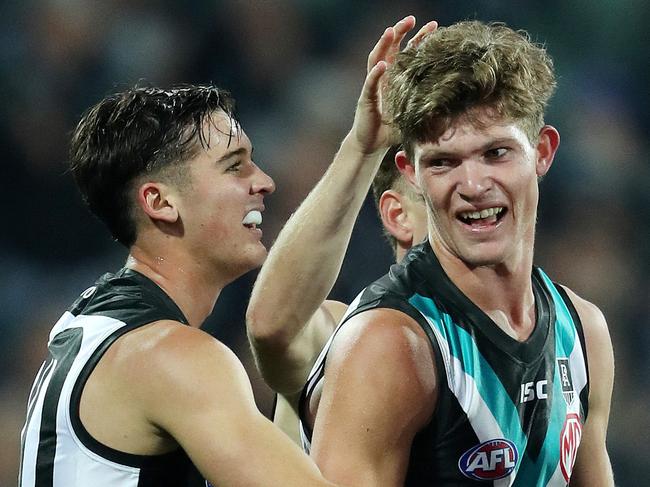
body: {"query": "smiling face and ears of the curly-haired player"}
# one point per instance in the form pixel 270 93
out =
pixel 480 183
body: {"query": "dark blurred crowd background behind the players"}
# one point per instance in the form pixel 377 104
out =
pixel 296 67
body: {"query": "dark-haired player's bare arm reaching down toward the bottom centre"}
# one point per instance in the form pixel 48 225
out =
pixel 198 392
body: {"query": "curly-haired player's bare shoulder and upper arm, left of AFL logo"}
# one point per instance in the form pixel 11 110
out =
pixel 379 391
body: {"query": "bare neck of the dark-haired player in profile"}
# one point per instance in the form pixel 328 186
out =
pixel 186 282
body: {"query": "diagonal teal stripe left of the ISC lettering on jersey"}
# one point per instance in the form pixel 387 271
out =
pixel 491 390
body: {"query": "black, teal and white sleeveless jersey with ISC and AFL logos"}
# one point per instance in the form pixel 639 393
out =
pixel 509 413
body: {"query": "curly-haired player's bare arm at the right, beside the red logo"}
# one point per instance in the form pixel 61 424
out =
pixel 592 467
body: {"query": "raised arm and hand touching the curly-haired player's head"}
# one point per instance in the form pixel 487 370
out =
pixel 286 323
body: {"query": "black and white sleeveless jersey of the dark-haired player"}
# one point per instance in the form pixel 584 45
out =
pixel 57 451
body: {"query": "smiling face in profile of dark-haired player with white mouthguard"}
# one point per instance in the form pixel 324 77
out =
pixel 221 206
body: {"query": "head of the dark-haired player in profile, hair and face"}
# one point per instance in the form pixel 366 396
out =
pixel 173 169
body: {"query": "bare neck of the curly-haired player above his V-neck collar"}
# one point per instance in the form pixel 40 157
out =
pixel 504 291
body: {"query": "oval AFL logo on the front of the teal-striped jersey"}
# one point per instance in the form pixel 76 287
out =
pixel 491 460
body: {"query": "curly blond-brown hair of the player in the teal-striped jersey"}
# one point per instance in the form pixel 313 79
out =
pixel 464 67
